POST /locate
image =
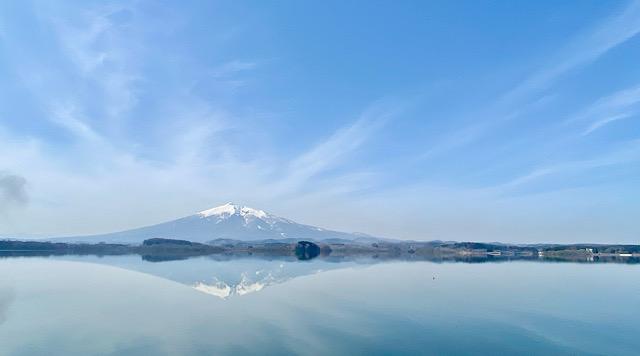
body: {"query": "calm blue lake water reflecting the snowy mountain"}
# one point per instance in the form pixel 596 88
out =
pixel 123 305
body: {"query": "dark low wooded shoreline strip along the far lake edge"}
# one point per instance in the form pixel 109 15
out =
pixel 157 250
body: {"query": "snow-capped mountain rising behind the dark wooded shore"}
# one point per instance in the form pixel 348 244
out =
pixel 227 221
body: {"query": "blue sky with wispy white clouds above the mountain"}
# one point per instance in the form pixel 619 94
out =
pixel 486 121
